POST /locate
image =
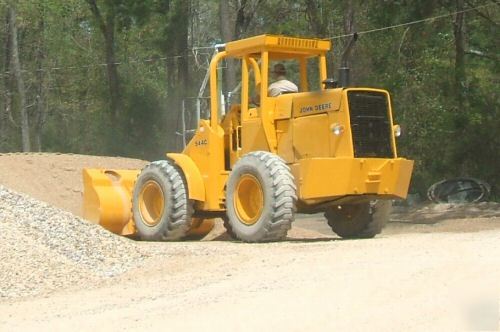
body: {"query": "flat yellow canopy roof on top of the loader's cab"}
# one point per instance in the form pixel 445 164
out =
pixel 279 47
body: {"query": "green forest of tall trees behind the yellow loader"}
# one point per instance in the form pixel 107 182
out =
pixel 110 77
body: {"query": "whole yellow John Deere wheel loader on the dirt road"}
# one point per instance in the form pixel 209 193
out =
pixel 327 149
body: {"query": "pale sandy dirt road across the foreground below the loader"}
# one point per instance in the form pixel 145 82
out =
pixel 398 282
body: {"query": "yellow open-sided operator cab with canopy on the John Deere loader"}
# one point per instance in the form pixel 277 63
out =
pixel 305 62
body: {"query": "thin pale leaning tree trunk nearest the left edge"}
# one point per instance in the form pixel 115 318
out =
pixel 16 68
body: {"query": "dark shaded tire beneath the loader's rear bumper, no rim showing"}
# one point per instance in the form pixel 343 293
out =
pixel 359 220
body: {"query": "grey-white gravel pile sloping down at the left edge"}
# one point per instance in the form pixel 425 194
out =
pixel 43 248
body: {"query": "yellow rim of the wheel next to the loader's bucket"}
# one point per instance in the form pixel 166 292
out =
pixel 151 203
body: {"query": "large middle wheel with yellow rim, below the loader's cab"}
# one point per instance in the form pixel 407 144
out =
pixel 260 198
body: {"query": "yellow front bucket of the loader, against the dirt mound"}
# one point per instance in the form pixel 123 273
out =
pixel 107 198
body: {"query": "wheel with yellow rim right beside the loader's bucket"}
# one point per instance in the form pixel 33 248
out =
pixel 160 204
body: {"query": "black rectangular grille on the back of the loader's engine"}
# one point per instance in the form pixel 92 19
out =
pixel 370 124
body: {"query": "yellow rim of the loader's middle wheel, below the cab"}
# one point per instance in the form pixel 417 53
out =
pixel 248 199
